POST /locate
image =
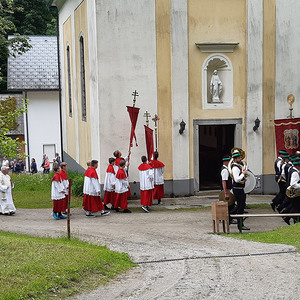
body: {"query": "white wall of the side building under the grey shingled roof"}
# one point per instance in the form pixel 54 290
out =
pixel 43 123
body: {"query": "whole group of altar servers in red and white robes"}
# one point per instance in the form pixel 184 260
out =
pixel 116 186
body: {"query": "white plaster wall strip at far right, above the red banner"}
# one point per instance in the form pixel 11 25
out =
pixel 287 57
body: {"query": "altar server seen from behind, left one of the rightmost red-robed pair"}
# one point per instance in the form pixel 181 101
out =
pixel 146 184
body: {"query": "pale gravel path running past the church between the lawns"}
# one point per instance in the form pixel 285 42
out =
pixel 176 234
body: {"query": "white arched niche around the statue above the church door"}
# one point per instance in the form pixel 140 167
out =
pixel 223 65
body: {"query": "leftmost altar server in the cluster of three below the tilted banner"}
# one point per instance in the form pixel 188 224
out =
pixel 109 184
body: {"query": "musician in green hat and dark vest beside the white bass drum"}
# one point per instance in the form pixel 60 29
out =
pixel 239 176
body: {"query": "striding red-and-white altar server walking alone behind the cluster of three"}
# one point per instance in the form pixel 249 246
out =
pixel 92 202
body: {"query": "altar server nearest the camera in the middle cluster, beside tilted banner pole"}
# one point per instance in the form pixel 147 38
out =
pixel 121 189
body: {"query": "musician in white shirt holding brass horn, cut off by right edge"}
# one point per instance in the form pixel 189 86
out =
pixel 294 183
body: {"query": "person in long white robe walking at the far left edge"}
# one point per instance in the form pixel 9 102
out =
pixel 7 206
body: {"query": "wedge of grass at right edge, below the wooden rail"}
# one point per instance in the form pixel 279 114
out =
pixel 289 235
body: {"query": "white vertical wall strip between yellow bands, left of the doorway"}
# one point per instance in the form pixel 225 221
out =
pixel 180 97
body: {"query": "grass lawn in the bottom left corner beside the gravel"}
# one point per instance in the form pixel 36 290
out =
pixel 45 268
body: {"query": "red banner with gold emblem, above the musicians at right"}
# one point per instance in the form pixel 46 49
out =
pixel 287 135
